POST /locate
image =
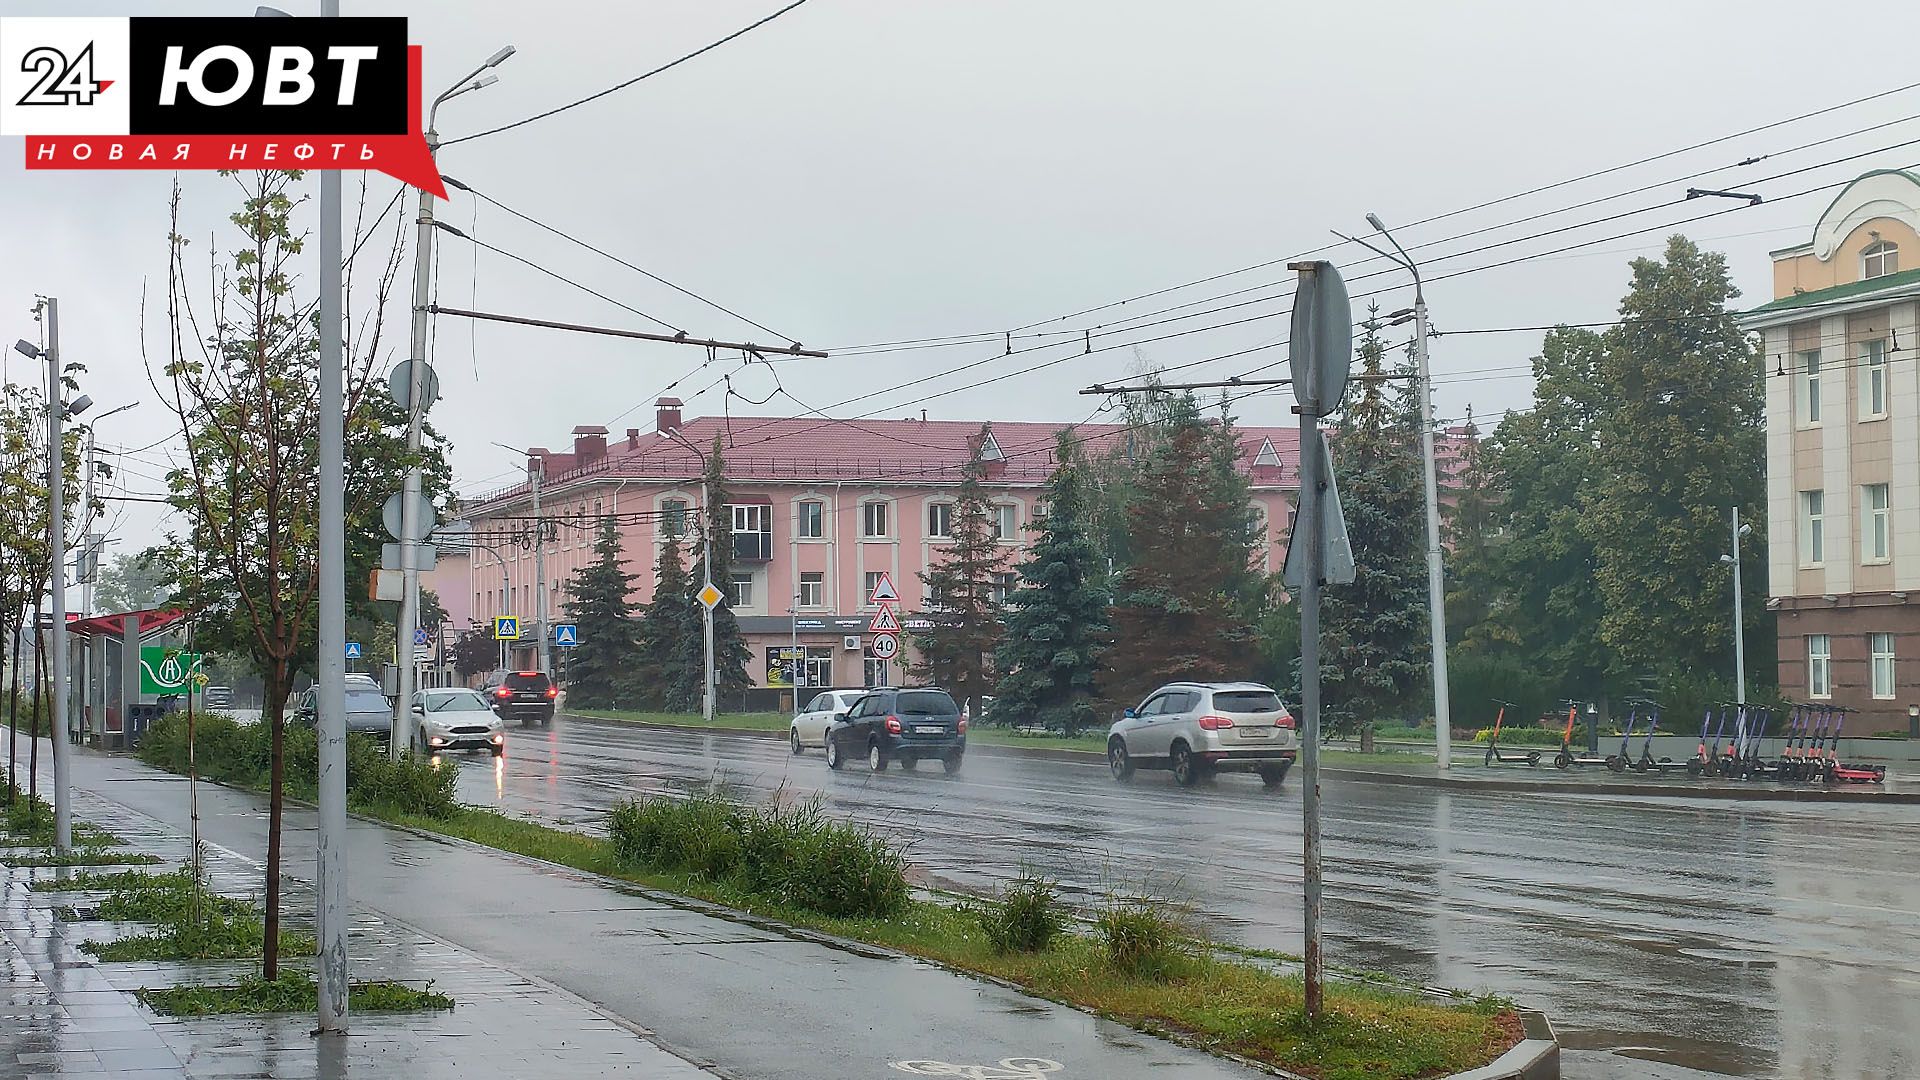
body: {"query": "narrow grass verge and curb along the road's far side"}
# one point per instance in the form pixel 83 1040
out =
pixel 1691 791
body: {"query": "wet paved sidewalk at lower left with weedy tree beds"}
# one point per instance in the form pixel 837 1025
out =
pixel 70 1016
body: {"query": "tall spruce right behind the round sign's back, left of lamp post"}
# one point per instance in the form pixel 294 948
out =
pixel 1376 631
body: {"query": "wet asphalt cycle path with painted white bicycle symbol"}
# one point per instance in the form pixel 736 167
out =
pixel 740 998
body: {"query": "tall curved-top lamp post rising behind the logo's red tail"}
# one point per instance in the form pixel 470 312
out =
pixel 418 385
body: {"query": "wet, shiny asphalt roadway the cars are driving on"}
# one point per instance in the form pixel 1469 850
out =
pixel 1668 939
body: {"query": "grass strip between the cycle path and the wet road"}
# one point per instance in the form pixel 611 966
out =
pixel 1172 987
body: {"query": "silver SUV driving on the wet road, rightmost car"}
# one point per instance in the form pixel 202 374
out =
pixel 1195 729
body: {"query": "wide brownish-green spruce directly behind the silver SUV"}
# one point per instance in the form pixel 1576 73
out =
pixel 1178 610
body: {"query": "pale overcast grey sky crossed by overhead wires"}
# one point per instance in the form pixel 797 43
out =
pixel 867 170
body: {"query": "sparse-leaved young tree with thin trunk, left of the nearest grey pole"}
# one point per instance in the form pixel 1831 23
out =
pixel 241 374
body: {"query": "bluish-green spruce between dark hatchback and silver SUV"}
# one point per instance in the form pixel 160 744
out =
pixel 1057 622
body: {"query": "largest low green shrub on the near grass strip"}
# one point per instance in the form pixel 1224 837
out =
pixel 792 856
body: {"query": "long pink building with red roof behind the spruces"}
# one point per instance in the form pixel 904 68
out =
pixel 819 512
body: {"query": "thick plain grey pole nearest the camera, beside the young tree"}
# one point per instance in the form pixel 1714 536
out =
pixel 331 864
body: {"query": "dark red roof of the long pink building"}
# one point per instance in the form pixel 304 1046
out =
pixel 900 453
